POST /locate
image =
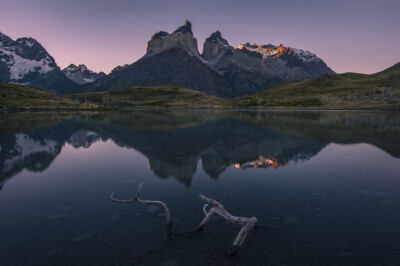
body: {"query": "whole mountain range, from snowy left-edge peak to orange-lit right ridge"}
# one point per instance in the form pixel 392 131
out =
pixel 171 59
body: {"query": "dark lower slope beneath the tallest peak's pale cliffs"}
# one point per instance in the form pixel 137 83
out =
pixel 171 67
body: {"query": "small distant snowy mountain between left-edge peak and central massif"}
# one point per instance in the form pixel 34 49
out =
pixel 81 74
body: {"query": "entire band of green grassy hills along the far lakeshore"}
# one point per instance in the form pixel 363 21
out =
pixel 343 91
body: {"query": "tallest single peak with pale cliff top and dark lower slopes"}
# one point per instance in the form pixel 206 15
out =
pixel 170 59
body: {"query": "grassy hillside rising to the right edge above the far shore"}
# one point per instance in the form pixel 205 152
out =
pixel 343 91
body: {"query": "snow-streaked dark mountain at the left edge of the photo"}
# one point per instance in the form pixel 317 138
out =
pixel 25 61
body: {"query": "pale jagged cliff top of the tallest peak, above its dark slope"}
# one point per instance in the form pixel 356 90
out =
pixel 181 38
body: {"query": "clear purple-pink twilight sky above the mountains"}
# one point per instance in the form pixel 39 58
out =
pixel 350 36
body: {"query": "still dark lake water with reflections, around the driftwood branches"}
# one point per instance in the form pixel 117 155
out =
pixel 327 184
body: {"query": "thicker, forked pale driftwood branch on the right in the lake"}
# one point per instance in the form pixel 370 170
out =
pixel 247 223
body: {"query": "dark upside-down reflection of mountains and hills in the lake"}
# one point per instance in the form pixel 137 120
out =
pixel 175 141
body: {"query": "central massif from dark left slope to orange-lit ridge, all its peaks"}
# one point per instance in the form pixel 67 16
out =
pixel 221 70
